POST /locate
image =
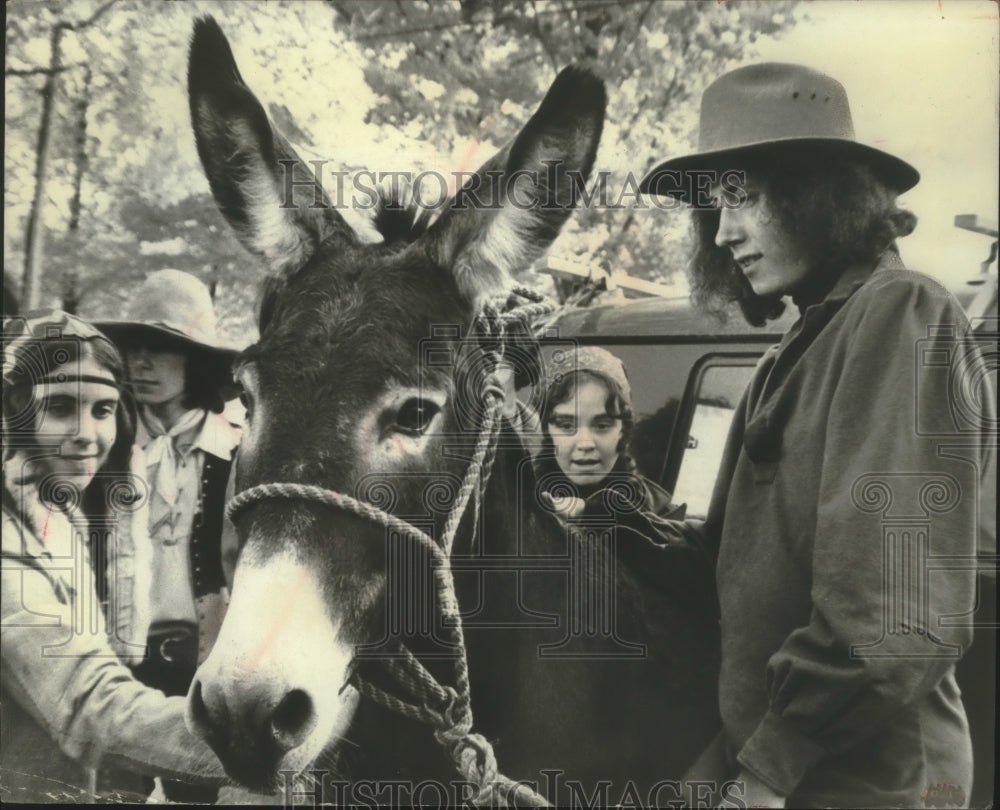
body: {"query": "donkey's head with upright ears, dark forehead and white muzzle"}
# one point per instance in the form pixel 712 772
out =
pixel 337 395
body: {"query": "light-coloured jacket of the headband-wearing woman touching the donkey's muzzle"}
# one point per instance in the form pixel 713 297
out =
pixel 68 705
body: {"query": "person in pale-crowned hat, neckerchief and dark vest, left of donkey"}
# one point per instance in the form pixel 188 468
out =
pixel 180 374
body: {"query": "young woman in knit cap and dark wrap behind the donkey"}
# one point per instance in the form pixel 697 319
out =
pixel 586 476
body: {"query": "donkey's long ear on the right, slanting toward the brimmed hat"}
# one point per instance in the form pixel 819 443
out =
pixel 511 210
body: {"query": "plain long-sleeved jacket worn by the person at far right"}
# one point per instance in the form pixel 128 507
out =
pixel 844 520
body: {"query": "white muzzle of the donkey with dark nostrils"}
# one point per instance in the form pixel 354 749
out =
pixel 268 696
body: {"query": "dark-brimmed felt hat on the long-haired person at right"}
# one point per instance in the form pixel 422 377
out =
pixel 764 108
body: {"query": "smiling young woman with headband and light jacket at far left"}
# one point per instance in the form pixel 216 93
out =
pixel 74 554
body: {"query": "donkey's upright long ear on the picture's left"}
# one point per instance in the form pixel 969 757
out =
pixel 274 203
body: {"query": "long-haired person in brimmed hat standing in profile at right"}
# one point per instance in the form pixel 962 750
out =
pixel 853 466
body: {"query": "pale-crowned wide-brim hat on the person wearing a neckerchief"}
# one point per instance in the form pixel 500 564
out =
pixel 171 305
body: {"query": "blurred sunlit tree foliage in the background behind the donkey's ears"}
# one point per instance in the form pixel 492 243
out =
pixel 385 85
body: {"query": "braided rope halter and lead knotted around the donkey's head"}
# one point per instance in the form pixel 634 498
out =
pixel 447 709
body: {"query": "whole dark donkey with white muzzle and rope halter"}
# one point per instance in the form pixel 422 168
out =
pixel 365 382
